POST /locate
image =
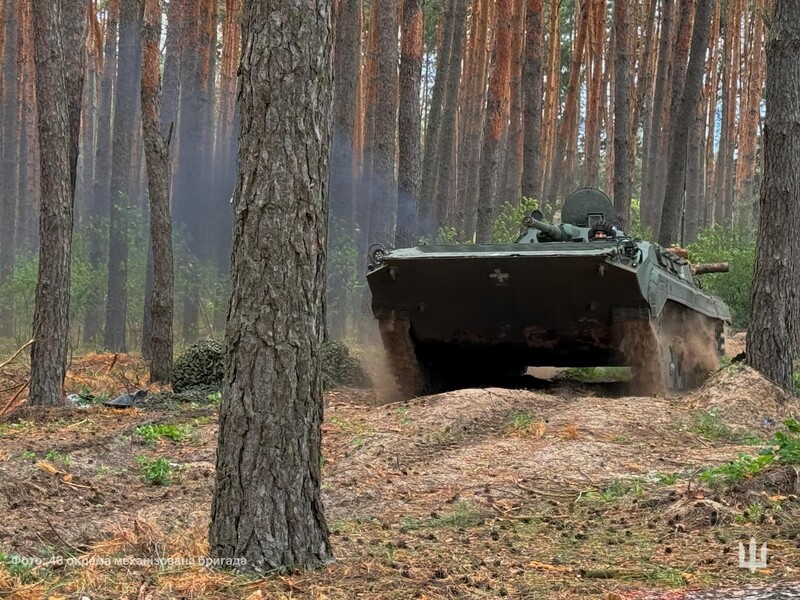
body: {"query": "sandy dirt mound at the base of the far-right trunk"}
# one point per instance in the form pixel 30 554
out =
pixel 744 397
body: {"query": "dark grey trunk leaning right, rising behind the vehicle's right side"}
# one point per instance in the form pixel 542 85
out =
pixel 685 118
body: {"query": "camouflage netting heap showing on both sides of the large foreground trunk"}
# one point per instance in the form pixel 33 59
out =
pixel 202 367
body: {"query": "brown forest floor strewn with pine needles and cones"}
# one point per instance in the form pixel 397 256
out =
pixel 571 490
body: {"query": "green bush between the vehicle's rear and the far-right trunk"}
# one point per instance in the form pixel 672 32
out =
pixel 736 246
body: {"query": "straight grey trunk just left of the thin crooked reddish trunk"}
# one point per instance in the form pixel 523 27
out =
pixel 125 108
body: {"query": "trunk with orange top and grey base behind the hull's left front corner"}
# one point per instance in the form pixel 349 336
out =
pixel 408 180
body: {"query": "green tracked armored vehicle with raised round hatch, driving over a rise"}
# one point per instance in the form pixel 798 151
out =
pixel 576 294
